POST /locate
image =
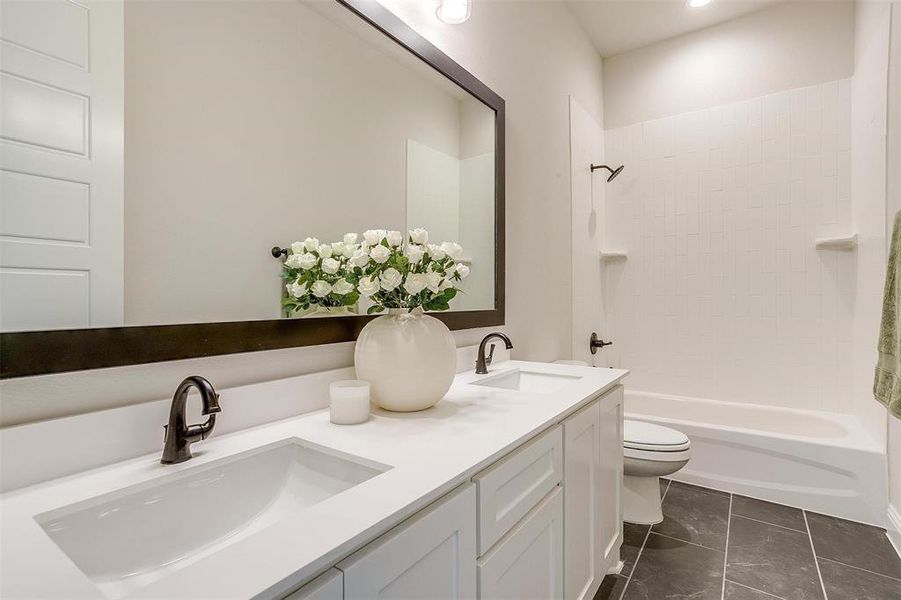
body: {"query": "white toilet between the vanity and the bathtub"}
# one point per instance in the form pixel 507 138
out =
pixel 650 452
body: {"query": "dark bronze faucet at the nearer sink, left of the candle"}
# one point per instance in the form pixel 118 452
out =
pixel 180 435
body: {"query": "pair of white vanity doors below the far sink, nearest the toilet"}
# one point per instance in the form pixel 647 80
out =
pixel 593 476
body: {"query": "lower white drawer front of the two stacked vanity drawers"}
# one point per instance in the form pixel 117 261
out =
pixel 527 563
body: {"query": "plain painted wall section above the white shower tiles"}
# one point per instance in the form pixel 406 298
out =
pixel 787 46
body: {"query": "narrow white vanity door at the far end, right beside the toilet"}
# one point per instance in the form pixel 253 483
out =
pixel 610 516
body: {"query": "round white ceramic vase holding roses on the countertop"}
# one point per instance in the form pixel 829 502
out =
pixel 408 358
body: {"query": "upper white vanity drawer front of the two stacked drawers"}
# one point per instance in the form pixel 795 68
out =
pixel 511 487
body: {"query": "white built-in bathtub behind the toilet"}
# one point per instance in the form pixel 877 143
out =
pixel 819 461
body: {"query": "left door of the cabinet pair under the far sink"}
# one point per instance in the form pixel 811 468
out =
pixel 581 467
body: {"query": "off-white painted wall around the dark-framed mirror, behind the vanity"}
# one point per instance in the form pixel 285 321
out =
pixel 535 74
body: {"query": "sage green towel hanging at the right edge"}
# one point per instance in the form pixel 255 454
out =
pixel 887 386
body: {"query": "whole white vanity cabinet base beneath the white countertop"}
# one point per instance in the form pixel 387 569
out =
pixel 543 522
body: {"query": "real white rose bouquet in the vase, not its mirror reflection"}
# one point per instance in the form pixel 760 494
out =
pixel 397 273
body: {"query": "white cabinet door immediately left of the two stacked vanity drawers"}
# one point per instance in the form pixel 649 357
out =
pixel 431 555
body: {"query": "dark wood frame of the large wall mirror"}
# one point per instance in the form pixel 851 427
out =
pixel 44 352
